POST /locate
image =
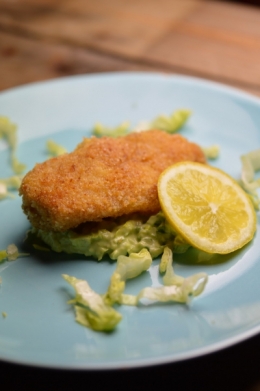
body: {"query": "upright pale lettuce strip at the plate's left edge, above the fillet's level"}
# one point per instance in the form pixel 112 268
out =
pixel 8 131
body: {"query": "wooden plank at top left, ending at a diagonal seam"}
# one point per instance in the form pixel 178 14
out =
pixel 119 27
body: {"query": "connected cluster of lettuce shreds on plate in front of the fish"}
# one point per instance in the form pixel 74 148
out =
pixel 95 311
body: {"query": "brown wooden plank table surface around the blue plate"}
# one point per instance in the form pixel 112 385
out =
pixel 216 40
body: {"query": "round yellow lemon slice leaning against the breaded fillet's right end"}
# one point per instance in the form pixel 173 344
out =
pixel 206 207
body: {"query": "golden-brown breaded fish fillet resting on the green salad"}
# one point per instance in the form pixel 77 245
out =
pixel 103 177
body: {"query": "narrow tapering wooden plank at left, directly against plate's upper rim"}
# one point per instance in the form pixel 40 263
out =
pixel 24 60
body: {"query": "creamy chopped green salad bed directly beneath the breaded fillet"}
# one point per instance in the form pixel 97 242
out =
pixel 118 237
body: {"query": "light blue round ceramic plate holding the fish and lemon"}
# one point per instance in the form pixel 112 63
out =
pixel 40 328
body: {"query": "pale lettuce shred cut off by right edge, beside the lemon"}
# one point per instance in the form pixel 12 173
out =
pixel 250 165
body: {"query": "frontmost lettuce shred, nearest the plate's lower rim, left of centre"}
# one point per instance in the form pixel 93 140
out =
pixel 91 310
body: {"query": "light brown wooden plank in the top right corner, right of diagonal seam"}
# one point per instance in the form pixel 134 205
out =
pixel 219 40
